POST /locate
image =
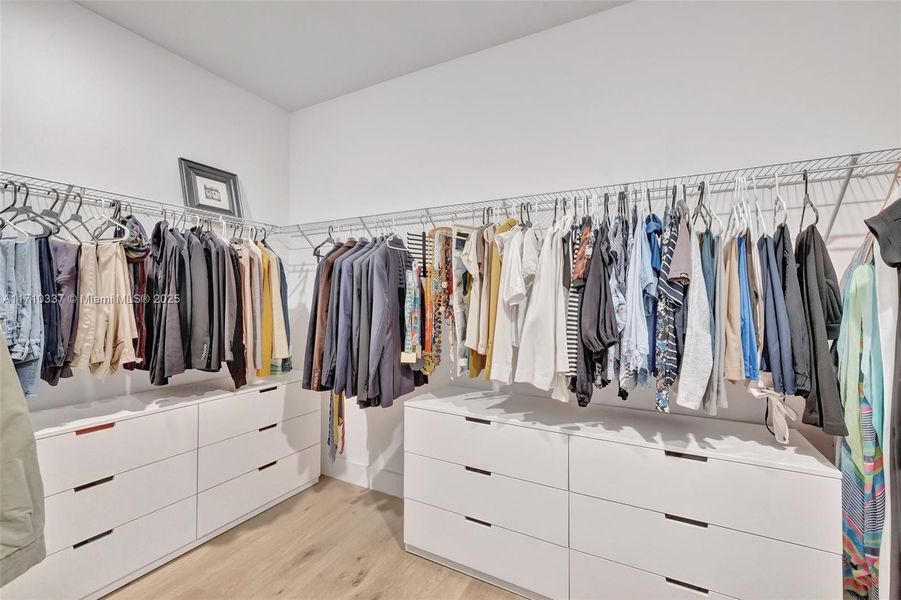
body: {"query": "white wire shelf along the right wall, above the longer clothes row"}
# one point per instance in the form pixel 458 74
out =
pixel 840 169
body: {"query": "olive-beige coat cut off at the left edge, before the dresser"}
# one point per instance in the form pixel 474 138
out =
pixel 21 488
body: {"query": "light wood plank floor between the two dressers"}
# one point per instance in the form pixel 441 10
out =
pixel 330 542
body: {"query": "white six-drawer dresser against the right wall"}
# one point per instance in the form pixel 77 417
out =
pixel 551 500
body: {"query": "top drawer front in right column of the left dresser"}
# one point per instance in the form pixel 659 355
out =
pixel 227 417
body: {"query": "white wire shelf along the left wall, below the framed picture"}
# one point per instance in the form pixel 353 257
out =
pixel 47 188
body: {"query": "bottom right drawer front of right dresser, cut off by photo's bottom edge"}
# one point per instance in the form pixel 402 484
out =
pixel 592 578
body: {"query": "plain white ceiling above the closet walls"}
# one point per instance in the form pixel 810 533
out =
pixel 299 53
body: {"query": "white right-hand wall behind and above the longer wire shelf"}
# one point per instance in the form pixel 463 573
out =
pixel 649 89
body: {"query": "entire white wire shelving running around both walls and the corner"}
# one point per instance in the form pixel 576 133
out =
pixel 838 170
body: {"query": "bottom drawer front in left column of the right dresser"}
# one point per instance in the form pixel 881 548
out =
pixel 518 559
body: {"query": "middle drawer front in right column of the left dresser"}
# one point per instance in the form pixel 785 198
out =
pixel 235 456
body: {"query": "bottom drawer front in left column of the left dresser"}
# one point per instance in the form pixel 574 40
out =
pixel 77 572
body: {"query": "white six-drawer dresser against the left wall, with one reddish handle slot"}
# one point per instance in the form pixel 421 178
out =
pixel 132 482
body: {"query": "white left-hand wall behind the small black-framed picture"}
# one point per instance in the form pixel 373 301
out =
pixel 88 102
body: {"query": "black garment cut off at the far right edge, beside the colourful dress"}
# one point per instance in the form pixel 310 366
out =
pixel 886 227
